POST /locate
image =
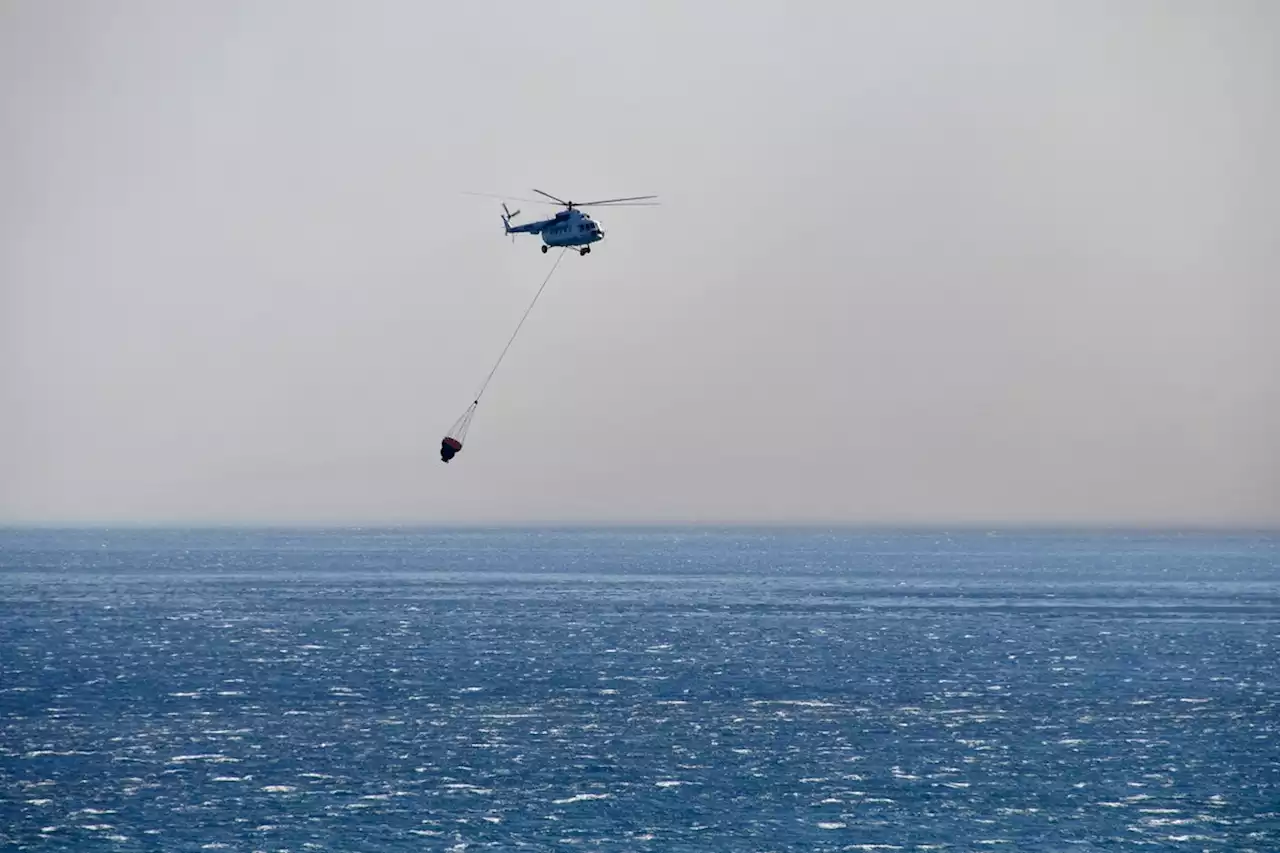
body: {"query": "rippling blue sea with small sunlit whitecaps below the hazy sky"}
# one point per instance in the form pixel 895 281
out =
pixel 638 691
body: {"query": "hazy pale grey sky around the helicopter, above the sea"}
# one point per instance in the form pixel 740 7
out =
pixel 916 262
